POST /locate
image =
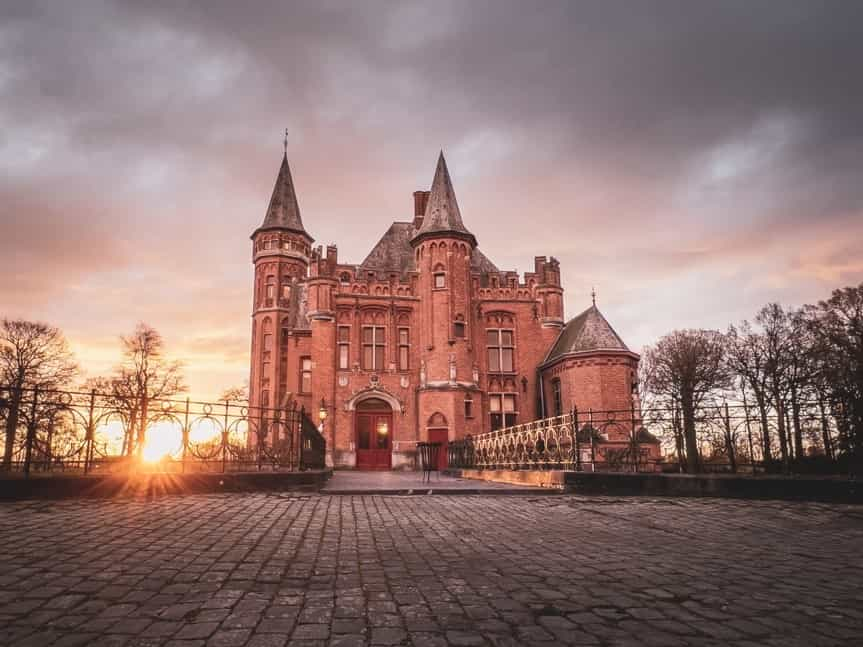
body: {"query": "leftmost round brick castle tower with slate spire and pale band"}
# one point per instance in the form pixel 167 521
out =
pixel 281 251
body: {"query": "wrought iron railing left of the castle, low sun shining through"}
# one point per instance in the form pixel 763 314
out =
pixel 100 432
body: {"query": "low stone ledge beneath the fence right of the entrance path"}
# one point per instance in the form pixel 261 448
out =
pixel 831 490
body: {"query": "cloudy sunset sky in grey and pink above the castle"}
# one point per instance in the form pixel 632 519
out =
pixel 693 161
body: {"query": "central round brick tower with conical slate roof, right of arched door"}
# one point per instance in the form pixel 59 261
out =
pixel 443 247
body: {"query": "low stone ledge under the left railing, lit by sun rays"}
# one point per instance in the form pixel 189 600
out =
pixel 148 485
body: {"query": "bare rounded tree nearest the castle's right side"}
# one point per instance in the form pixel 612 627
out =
pixel 685 367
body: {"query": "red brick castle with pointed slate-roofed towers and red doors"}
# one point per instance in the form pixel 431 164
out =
pixel 426 339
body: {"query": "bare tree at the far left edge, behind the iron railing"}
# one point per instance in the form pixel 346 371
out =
pixel 33 355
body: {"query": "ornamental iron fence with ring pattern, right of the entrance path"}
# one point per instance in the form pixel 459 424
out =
pixel 730 438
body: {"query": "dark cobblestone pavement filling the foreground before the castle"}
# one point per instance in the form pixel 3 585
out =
pixel 264 569
